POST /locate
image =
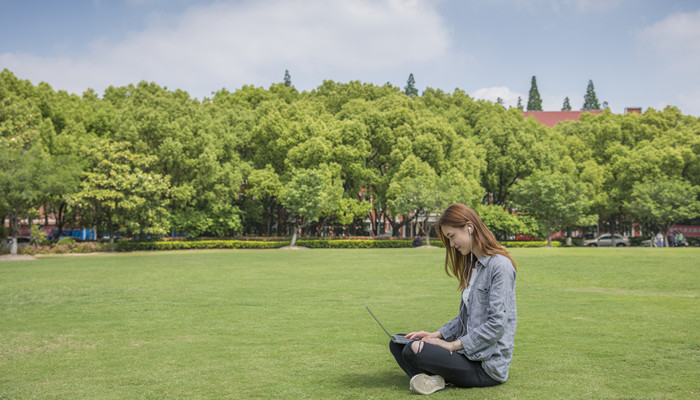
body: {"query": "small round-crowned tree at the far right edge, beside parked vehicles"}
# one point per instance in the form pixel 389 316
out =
pixel 663 202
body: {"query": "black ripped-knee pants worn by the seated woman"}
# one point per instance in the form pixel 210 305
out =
pixel 434 360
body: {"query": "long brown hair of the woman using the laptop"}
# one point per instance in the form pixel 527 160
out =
pixel 458 216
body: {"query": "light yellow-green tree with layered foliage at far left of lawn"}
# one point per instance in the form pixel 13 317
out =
pixel 115 191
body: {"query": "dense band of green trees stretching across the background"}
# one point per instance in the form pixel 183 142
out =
pixel 145 160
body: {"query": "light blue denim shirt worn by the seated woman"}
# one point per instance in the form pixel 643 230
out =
pixel 486 327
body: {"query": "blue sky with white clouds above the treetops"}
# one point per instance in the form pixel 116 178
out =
pixel 638 53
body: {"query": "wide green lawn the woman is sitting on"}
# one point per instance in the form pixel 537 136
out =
pixel 261 324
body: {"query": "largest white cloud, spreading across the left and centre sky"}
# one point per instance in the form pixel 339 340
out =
pixel 253 42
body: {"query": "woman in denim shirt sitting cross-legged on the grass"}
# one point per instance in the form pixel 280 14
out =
pixel 475 348
